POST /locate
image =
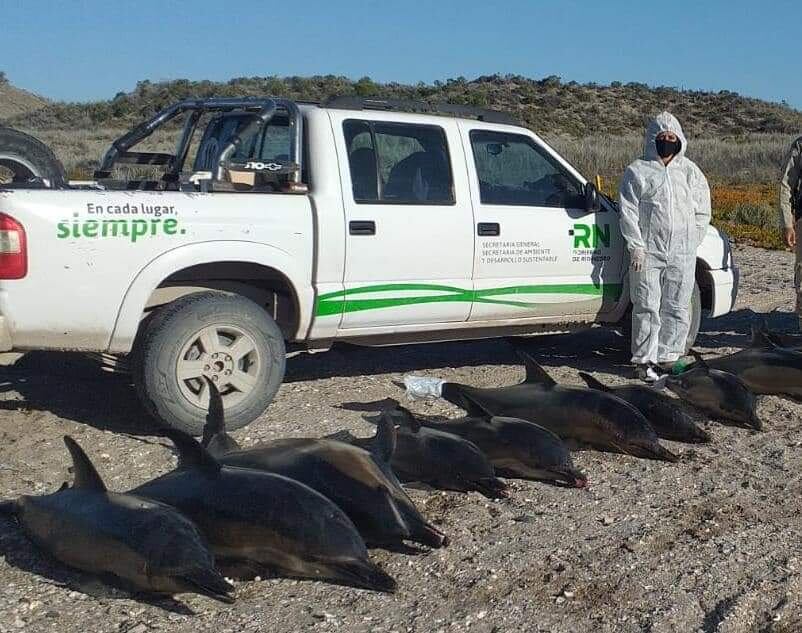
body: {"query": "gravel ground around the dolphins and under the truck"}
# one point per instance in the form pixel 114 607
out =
pixel 711 543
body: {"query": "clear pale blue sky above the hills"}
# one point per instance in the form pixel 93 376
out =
pixel 87 49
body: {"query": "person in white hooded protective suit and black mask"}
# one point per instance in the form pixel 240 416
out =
pixel 665 210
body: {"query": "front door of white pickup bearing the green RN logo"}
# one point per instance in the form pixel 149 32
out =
pixel 539 253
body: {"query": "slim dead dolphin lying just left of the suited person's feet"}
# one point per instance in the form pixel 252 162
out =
pixel 667 418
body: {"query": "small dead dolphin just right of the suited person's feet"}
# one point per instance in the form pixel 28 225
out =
pixel 720 394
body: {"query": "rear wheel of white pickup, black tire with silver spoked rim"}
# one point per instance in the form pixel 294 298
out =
pixel 226 338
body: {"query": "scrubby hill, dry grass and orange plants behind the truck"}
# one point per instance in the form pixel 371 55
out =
pixel 737 141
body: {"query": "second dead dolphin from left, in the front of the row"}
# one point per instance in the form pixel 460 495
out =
pixel 257 521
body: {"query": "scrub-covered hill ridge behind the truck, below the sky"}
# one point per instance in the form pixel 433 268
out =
pixel 548 105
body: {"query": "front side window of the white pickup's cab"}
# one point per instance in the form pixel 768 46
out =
pixel 513 170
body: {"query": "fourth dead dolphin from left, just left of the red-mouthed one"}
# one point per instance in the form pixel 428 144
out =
pixel 431 456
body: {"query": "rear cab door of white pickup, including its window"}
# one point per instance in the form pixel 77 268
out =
pixel 409 222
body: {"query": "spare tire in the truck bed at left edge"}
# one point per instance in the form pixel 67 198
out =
pixel 25 157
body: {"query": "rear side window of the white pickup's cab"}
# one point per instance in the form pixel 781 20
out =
pixel 398 163
